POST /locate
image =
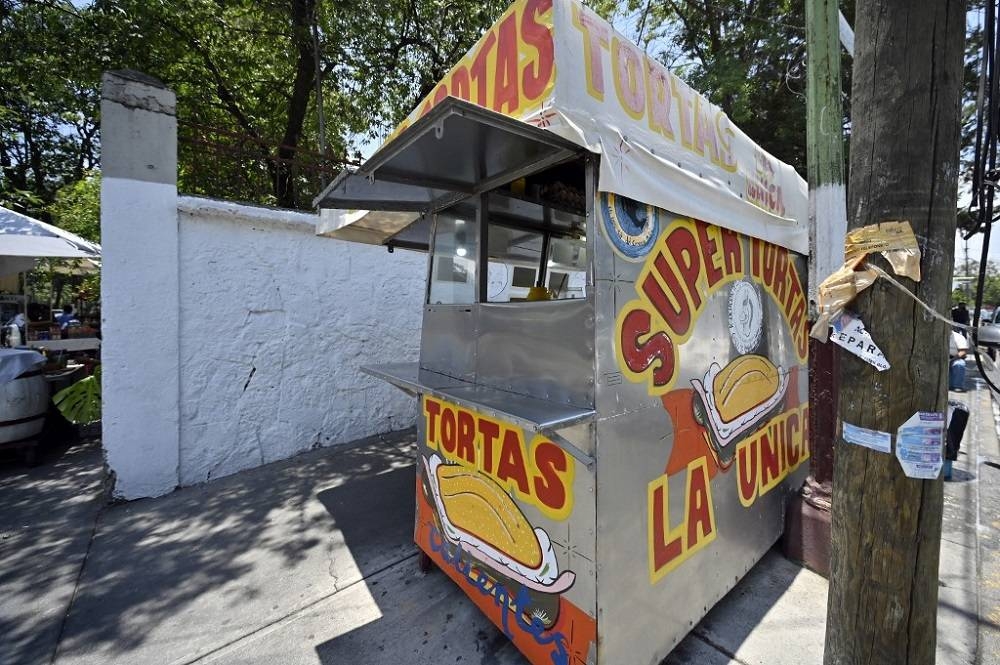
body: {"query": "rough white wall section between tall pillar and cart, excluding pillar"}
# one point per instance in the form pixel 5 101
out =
pixel 274 322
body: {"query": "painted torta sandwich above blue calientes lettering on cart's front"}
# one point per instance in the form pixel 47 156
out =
pixel 480 517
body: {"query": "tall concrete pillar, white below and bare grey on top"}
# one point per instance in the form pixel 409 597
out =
pixel 139 284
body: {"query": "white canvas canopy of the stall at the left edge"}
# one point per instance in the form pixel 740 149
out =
pixel 24 239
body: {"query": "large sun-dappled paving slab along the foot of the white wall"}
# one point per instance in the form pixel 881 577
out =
pixel 172 579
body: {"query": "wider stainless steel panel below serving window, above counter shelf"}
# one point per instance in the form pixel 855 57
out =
pixel 541 349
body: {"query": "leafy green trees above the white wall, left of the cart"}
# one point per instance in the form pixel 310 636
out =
pixel 244 73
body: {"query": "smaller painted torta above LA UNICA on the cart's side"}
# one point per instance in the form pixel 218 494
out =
pixel 731 401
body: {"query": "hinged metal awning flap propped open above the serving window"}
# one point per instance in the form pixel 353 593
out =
pixel 457 149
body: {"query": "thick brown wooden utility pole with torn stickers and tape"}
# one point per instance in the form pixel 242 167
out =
pixel 904 166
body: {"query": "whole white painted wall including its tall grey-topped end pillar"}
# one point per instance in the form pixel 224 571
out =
pixel 232 334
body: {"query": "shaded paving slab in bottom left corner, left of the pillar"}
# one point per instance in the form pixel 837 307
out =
pixel 47 516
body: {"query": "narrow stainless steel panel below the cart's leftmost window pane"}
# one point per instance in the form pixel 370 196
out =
pixel 448 340
